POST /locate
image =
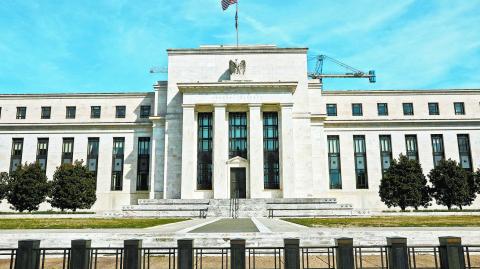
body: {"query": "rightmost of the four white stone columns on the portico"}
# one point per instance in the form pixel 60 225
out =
pixel 287 164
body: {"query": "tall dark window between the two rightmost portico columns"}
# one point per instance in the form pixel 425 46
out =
pixel 271 163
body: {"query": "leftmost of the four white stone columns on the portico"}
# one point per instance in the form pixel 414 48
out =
pixel 189 142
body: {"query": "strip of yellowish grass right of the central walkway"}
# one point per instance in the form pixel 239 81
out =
pixel 391 221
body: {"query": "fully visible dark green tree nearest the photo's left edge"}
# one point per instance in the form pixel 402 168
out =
pixel 27 187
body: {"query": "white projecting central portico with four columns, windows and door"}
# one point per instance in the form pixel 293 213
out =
pixel 229 127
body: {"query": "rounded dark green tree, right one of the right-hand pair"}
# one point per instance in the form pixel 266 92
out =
pixel 452 185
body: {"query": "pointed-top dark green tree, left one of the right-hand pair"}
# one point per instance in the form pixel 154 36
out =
pixel 404 184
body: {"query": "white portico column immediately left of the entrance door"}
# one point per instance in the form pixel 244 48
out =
pixel 220 152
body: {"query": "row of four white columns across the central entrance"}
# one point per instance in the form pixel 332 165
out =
pixel 220 150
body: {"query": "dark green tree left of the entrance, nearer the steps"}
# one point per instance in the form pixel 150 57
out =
pixel 73 187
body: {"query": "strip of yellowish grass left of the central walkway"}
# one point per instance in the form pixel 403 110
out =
pixel 83 223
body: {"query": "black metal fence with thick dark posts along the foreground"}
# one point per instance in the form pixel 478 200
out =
pixel 396 254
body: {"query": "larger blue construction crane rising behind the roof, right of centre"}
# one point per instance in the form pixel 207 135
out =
pixel 354 73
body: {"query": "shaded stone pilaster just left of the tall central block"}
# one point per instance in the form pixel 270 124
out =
pixel 157 153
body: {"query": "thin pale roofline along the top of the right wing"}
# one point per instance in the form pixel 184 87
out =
pixel 400 91
